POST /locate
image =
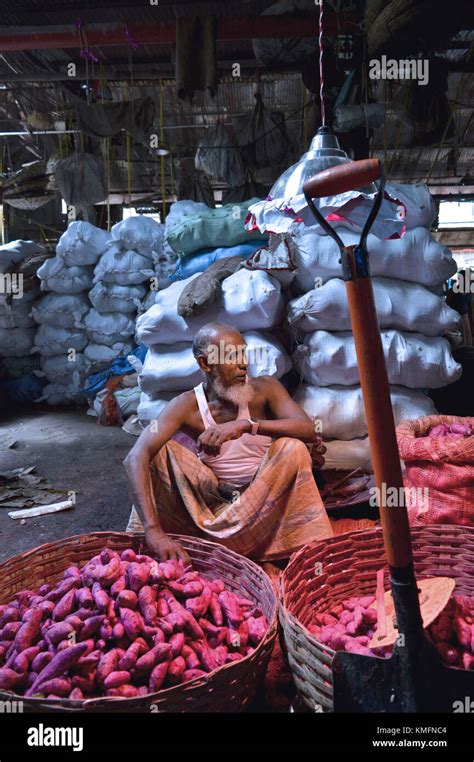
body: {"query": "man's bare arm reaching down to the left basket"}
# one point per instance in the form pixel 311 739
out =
pixel 137 467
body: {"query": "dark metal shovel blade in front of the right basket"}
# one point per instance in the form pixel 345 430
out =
pixel 406 682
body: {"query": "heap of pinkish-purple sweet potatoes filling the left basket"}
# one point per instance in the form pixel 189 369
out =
pixel 123 625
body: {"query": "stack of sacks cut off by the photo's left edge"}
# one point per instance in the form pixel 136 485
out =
pixel 17 298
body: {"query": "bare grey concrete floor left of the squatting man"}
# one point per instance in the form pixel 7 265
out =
pixel 72 452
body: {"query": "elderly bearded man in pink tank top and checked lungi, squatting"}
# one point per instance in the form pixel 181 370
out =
pixel 250 486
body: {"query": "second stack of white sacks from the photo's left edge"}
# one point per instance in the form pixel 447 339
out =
pixel 62 339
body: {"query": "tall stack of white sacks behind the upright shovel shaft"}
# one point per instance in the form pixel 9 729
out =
pixel 408 274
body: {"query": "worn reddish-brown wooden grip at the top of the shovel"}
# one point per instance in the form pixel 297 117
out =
pixel 342 178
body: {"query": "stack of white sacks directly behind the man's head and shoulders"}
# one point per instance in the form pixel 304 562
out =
pixel 250 299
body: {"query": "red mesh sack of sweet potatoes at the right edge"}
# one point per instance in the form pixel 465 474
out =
pixel 439 472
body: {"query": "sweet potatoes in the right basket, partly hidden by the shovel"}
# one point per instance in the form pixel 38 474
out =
pixel 350 626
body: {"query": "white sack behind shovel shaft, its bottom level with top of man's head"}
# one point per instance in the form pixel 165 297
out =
pixel 401 305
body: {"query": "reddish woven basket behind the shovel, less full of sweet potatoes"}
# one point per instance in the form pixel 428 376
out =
pixel 327 572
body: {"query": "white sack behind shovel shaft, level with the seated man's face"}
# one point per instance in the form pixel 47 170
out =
pixel 412 360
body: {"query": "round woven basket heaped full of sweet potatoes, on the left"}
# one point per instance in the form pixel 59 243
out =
pixel 228 689
